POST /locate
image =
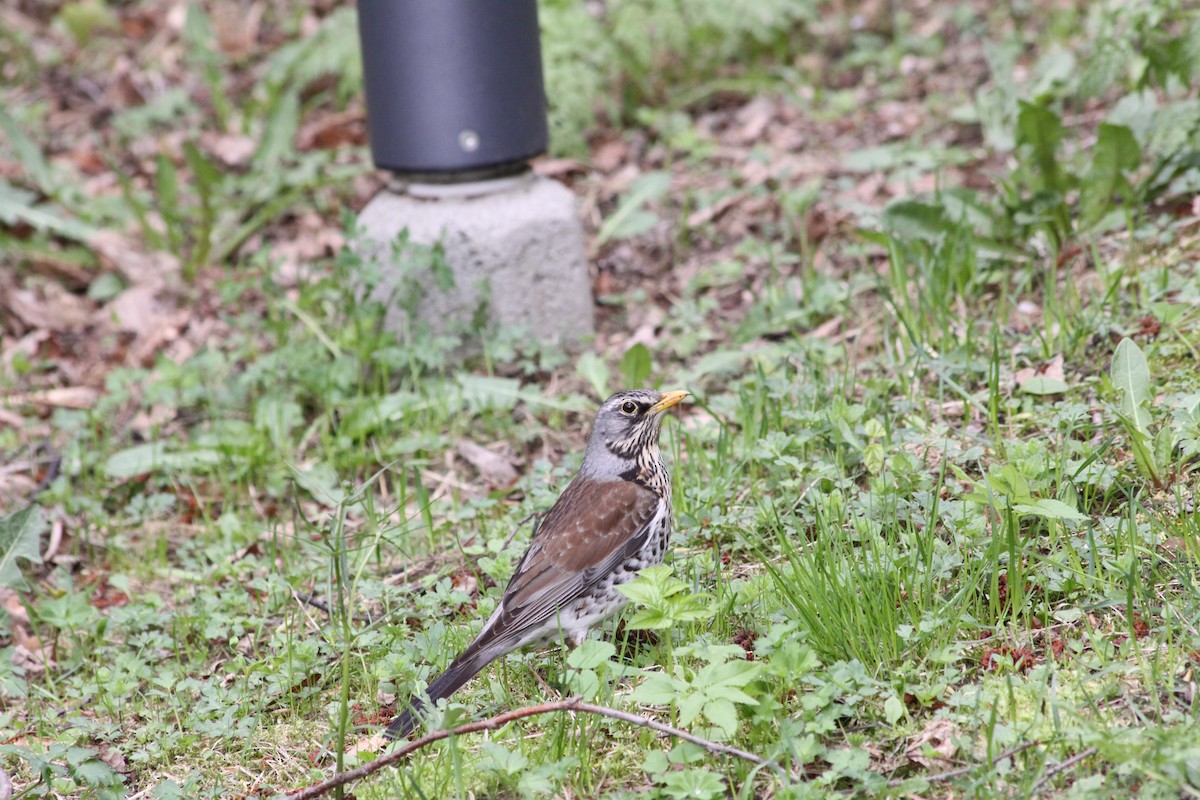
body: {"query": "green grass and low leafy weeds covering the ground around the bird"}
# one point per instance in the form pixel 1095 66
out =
pixel 892 561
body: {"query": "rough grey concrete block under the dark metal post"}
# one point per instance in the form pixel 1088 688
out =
pixel 514 246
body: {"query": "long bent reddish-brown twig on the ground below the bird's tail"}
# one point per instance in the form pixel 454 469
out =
pixel 495 723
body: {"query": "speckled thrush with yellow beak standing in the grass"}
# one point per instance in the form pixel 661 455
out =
pixel 611 521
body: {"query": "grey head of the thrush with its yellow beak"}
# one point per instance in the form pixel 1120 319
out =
pixel 627 426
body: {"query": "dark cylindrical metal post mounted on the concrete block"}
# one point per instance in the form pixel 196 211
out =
pixel 454 87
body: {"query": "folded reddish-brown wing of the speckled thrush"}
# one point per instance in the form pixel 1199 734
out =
pixel 587 534
